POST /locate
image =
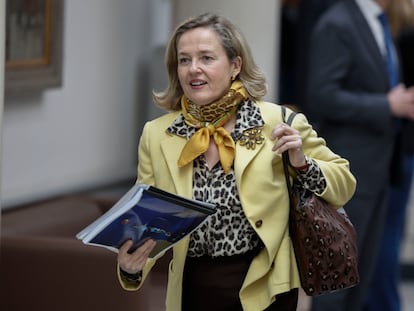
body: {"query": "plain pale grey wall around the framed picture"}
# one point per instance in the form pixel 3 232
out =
pixel 83 134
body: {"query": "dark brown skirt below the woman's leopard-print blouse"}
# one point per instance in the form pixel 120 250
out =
pixel 214 284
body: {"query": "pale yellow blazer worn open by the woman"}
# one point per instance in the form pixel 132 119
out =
pixel 263 194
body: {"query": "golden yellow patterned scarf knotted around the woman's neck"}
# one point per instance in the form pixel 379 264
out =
pixel 199 142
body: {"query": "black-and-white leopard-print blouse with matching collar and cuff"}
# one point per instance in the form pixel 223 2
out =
pixel 228 232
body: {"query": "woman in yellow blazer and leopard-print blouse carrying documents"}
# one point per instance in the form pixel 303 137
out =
pixel 221 144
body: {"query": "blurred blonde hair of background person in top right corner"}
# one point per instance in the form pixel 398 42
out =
pixel 401 15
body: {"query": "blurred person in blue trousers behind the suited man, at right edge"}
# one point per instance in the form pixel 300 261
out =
pixel 384 290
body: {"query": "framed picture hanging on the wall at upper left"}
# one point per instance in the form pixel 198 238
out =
pixel 33 48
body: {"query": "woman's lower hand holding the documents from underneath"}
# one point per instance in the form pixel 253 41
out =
pixel 134 262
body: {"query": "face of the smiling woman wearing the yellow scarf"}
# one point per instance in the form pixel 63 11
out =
pixel 204 70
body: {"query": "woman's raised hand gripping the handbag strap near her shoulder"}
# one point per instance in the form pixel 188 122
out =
pixel 289 139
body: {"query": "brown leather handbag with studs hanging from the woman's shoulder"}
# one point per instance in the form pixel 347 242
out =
pixel 323 238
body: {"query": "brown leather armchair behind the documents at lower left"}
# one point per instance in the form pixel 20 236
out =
pixel 44 267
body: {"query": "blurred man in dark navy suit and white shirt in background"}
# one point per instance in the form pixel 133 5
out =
pixel 354 106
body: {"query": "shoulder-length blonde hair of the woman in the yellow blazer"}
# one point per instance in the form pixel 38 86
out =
pixel 233 43
